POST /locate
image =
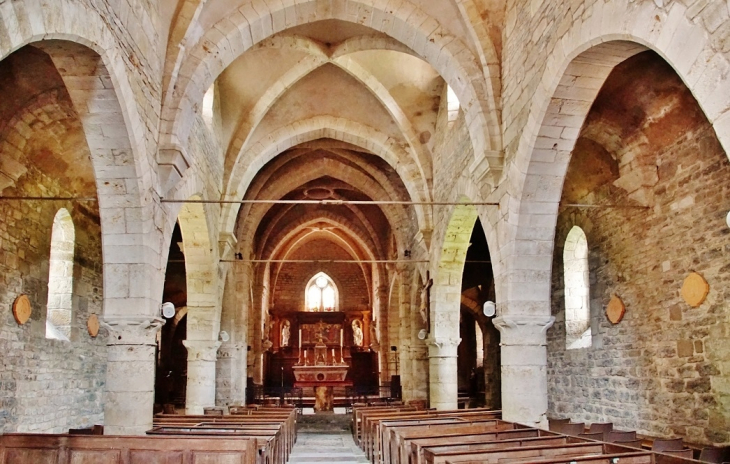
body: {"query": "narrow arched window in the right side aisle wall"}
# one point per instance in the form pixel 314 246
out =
pixel 577 295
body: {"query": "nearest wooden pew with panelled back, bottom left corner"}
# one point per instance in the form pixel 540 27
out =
pixel 26 448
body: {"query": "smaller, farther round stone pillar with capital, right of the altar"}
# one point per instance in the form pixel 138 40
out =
pixel 442 368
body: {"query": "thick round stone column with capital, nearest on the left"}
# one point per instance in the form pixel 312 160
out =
pixel 130 374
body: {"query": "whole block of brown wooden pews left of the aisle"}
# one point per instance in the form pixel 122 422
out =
pixel 263 437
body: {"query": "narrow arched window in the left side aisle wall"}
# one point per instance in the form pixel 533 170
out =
pixel 60 277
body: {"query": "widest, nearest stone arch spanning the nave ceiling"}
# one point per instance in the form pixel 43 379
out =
pixel 449 56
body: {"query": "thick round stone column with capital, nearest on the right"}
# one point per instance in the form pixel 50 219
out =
pixel 524 368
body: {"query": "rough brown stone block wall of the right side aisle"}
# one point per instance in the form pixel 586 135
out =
pixel 663 370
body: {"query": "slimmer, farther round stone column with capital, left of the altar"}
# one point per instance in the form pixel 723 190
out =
pixel 202 356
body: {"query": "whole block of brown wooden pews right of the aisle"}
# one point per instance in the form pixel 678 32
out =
pixel 465 436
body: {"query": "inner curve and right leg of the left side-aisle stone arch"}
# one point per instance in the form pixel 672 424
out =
pixel 120 190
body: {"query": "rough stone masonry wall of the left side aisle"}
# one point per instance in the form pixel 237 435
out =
pixel 48 385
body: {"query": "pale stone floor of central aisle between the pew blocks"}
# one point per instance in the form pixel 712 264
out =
pixel 333 448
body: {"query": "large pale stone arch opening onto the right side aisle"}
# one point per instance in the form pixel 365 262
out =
pixel 602 40
